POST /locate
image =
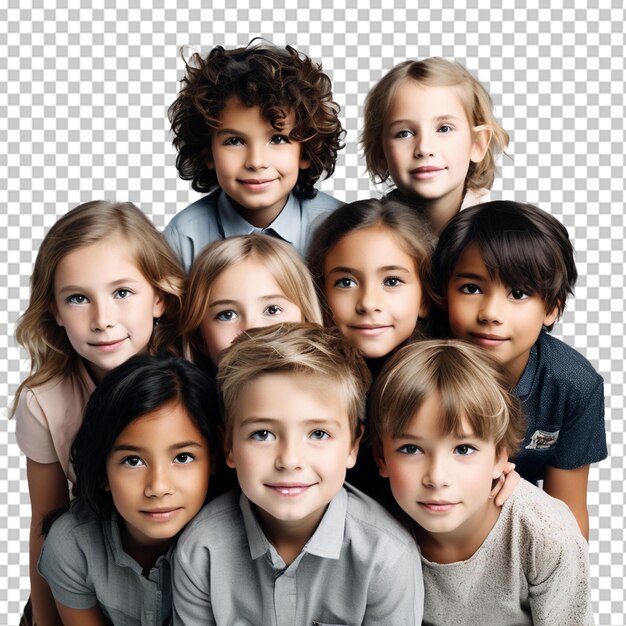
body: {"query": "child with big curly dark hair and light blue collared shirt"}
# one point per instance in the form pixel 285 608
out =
pixel 256 127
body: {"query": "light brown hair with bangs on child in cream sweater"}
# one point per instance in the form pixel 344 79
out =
pixel 472 386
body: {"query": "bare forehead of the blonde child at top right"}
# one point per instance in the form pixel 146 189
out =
pixel 412 98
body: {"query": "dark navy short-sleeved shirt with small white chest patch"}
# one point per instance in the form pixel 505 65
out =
pixel 563 399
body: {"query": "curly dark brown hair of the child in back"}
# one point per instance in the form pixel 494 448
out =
pixel 277 81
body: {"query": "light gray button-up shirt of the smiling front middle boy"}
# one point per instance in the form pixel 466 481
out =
pixel 359 567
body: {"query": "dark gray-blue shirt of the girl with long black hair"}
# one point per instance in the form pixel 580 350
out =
pixel 85 565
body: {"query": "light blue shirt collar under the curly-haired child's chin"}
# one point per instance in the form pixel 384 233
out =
pixel 286 226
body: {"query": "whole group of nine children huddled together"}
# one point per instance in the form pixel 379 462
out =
pixel 237 350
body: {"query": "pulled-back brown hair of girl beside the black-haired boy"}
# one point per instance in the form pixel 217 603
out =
pixel 410 231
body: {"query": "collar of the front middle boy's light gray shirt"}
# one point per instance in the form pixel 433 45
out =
pixel 326 541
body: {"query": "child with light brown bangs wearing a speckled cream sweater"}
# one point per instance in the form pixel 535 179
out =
pixel 443 423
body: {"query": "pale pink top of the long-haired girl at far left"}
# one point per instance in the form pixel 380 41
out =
pixel 48 417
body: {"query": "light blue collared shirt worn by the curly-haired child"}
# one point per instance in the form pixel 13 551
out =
pixel 214 217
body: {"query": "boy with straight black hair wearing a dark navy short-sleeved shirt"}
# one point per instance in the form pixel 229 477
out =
pixel 502 272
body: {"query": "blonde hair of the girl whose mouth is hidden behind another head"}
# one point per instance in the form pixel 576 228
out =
pixel 280 259
